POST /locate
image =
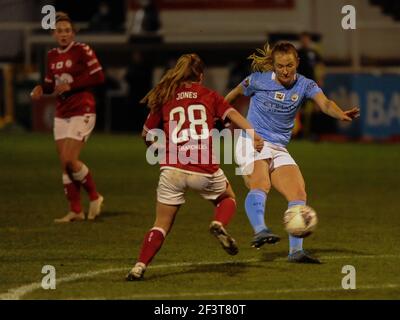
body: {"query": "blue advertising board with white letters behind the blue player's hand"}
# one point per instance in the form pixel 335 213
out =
pixel 378 97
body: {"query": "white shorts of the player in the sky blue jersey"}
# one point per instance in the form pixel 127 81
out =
pixel 245 155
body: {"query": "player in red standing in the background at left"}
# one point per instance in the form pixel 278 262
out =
pixel 72 69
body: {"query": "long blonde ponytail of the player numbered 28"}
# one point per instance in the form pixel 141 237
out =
pixel 189 67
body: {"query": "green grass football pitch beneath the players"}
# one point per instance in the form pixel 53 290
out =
pixel 353 188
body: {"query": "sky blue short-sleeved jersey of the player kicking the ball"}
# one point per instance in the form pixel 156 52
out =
pixel 273 107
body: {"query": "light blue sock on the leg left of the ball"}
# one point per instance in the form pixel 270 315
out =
pixel 255 209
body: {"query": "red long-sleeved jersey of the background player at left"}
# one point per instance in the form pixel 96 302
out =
pixel 78 66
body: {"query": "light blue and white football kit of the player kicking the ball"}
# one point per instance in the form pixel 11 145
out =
pixel 272 113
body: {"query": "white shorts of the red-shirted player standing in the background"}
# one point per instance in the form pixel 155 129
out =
pixel 78 127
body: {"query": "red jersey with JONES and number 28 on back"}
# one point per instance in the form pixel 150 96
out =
pixel 187 120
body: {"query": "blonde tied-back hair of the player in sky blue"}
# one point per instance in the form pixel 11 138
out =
pixel 264 62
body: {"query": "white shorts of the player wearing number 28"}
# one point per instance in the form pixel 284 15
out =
pixel 173 184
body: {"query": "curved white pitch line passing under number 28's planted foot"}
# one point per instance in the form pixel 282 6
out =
pixel 19 292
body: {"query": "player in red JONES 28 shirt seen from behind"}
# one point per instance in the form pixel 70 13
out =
pixel 186 111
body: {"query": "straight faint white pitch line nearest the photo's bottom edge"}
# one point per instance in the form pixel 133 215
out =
pixel 249 292
